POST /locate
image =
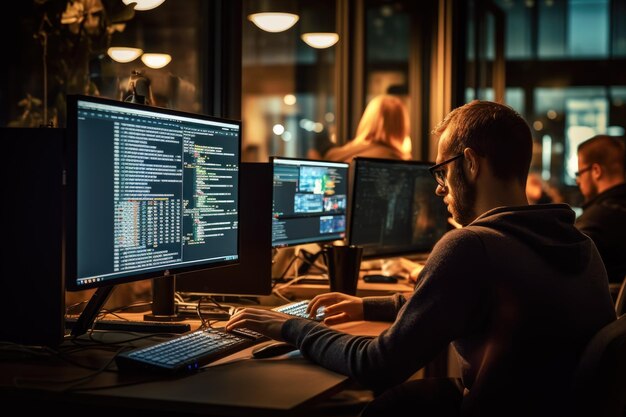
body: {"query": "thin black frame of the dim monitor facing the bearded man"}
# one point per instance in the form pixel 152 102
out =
pixel 415 251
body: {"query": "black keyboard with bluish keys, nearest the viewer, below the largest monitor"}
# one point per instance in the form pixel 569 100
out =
pixel 188 352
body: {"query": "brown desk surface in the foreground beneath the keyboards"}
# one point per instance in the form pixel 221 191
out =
pixel 233 386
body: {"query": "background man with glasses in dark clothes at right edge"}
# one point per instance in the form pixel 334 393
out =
pixel 600 178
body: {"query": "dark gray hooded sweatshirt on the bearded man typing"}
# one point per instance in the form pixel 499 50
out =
pixel 518 293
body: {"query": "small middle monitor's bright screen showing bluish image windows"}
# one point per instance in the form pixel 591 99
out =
pixel 309 201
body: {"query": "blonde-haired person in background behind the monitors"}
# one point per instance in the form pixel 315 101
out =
pixel 382 132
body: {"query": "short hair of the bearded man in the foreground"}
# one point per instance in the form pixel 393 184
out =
pixel 494 131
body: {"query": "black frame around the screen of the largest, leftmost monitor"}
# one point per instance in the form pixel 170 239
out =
pixel 70 244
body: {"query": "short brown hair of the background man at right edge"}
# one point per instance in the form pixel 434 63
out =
pixel 608 151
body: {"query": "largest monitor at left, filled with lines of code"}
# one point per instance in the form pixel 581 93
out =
pixel 151 192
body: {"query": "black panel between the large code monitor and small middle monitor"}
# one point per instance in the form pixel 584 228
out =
pixel 253 274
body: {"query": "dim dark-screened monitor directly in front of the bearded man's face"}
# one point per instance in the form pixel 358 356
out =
pixel 394 209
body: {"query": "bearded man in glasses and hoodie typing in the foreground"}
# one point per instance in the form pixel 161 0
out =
pixel 518 291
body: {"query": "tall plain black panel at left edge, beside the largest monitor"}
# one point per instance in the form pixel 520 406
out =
pixel 32 294
